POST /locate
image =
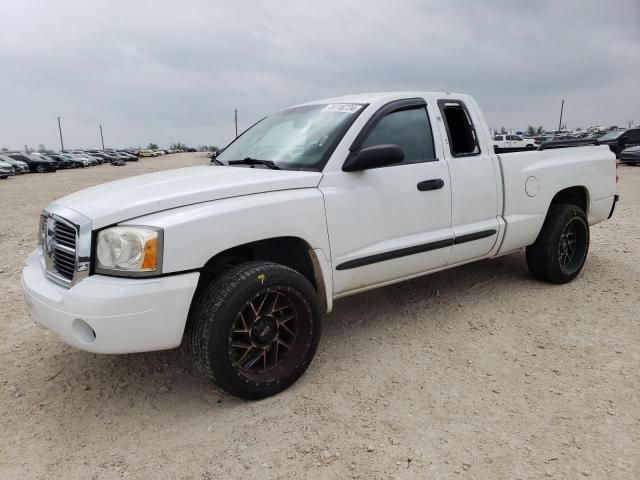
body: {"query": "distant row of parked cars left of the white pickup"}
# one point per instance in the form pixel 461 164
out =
pixel 16 163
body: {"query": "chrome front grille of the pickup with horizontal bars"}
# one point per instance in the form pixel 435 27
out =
pixel 64 245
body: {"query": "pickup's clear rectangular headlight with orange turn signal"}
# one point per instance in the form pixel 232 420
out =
pixel 129 251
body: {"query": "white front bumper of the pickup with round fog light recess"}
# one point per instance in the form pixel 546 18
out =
pixel 104 314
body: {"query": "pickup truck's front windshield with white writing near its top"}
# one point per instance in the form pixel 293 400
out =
pixel 300 138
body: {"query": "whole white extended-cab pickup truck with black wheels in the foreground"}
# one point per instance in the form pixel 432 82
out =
pixel 314 203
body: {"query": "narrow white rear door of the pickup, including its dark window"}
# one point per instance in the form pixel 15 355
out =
pixel 475 182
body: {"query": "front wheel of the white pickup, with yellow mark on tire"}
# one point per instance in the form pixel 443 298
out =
pixel 255 329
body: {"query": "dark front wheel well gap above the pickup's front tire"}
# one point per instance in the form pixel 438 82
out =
pixel 292 252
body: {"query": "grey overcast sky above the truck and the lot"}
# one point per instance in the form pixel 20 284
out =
pixel 169 71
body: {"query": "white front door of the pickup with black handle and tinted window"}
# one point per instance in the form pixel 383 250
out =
pixel 393 222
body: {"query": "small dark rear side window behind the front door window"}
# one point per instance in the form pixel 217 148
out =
pixel 463 140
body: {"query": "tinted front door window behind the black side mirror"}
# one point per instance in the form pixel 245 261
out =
pixel 410 130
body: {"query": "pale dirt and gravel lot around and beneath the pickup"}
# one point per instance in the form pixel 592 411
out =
pixel 479 372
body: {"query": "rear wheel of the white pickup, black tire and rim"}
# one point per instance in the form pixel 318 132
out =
pixel 552 258
